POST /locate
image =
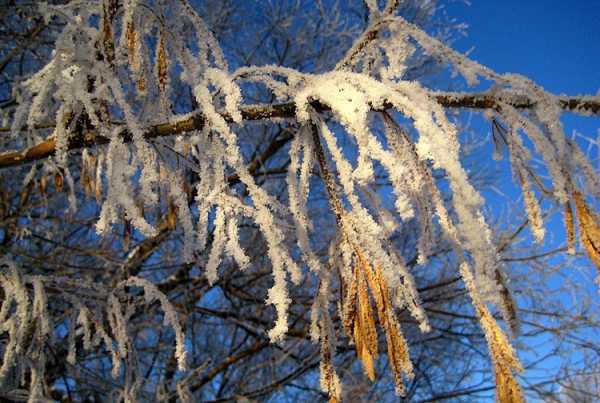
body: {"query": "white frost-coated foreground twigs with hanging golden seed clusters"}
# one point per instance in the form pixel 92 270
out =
pixel 107 88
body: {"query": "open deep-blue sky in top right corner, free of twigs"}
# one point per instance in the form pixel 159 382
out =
pixel 554 42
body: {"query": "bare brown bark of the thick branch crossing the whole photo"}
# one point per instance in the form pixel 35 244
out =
pixel 486 100
